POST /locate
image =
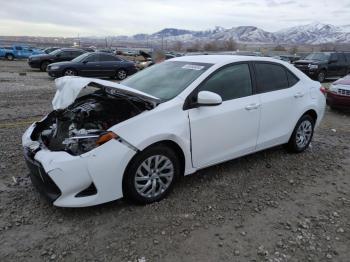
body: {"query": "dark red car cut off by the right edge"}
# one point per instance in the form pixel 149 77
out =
pixel 338 94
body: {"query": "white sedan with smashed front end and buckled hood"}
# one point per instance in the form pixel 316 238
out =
pixel 136 138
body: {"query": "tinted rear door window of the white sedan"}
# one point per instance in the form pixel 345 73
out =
pixel 270 77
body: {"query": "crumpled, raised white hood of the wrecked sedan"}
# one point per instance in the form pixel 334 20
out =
pixel 69 87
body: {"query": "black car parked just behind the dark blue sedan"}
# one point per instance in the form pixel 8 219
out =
pixel 43 60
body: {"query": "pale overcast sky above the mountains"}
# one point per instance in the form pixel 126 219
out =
pixel 128 17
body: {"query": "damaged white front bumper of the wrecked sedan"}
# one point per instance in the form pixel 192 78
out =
pixel 62 177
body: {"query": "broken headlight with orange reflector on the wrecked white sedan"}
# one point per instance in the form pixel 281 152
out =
pixel 78 145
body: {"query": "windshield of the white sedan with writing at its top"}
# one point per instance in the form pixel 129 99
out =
pixel 166 80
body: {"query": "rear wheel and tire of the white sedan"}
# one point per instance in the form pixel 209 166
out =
pixel 302 134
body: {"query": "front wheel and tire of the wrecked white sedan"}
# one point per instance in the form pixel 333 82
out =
pixel 151 175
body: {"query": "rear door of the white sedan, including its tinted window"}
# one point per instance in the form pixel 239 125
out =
pixel 280 95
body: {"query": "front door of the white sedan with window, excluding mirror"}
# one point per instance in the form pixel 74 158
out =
pixel 229 130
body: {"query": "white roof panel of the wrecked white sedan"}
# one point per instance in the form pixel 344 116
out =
pixel 222 59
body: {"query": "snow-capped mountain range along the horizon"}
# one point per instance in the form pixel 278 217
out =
pixel 314 33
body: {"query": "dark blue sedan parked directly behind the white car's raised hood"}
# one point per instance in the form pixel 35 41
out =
pixel 97 64
